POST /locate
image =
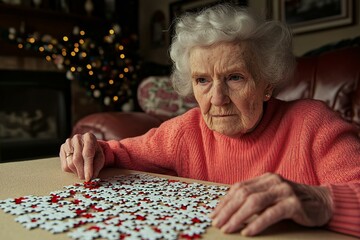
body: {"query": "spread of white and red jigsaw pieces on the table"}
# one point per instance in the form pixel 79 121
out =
pixel 136 206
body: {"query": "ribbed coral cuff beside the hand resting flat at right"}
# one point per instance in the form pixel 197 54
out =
pixel 346 208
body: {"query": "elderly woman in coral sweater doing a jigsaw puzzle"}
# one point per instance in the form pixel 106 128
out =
pixel 286 160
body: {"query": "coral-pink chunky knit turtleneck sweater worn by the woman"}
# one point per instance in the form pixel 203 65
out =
pixel 303 141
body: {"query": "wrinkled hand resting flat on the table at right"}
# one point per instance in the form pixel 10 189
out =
pixel 256 204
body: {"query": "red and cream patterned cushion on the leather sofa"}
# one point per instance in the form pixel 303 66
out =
pixel 157 97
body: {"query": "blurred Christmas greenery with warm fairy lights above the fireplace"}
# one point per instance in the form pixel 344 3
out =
pixel 104 63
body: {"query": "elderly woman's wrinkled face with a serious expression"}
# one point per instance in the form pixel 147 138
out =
pixel 230 99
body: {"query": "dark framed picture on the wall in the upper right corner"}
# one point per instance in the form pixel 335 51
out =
pixel 312 15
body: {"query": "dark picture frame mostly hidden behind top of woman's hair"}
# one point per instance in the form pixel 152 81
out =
pixel 180 7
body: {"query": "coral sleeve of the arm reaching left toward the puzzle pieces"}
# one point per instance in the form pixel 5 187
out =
pixel 155 151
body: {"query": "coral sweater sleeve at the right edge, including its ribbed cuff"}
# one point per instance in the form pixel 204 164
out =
pixel 336 157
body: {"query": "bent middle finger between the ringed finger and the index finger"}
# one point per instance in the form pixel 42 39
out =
pixel 77 157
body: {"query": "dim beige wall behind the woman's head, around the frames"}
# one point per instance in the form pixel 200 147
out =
pixel 302 42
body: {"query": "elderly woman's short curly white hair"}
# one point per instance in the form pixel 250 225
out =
pixel 268 43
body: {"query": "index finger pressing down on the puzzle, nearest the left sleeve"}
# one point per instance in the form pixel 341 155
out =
pixel 89 150
